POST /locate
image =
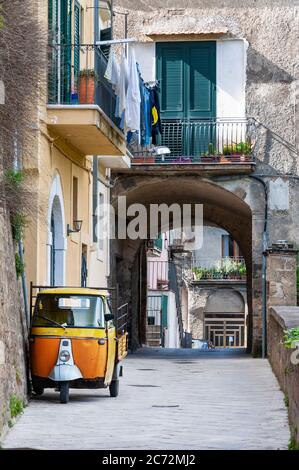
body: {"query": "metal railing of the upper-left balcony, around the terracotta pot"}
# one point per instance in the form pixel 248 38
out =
pixel 76 75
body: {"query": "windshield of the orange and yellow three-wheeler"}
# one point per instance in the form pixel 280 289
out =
pixel 73 311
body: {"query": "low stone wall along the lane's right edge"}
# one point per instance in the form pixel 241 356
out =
pixel 287 373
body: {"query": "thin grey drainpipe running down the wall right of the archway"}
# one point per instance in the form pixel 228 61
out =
pixel 264 268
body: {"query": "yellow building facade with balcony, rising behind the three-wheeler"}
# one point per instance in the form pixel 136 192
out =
pixel 76 144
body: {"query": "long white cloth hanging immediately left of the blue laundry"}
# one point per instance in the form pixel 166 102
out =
pixel 133 99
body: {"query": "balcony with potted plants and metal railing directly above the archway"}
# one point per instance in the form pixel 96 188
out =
pixel 213 145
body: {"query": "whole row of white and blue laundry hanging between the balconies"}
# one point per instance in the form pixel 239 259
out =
pixel 137 101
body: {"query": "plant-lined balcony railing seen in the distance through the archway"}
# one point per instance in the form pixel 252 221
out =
pixel 199 269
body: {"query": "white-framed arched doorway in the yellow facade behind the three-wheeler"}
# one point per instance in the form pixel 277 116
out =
pixel 56 246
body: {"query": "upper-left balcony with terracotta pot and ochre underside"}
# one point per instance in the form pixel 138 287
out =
pixel 81 103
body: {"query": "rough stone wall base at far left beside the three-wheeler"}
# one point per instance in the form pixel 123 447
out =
pixel 12 328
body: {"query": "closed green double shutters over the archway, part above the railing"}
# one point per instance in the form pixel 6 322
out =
pixel 187 74
